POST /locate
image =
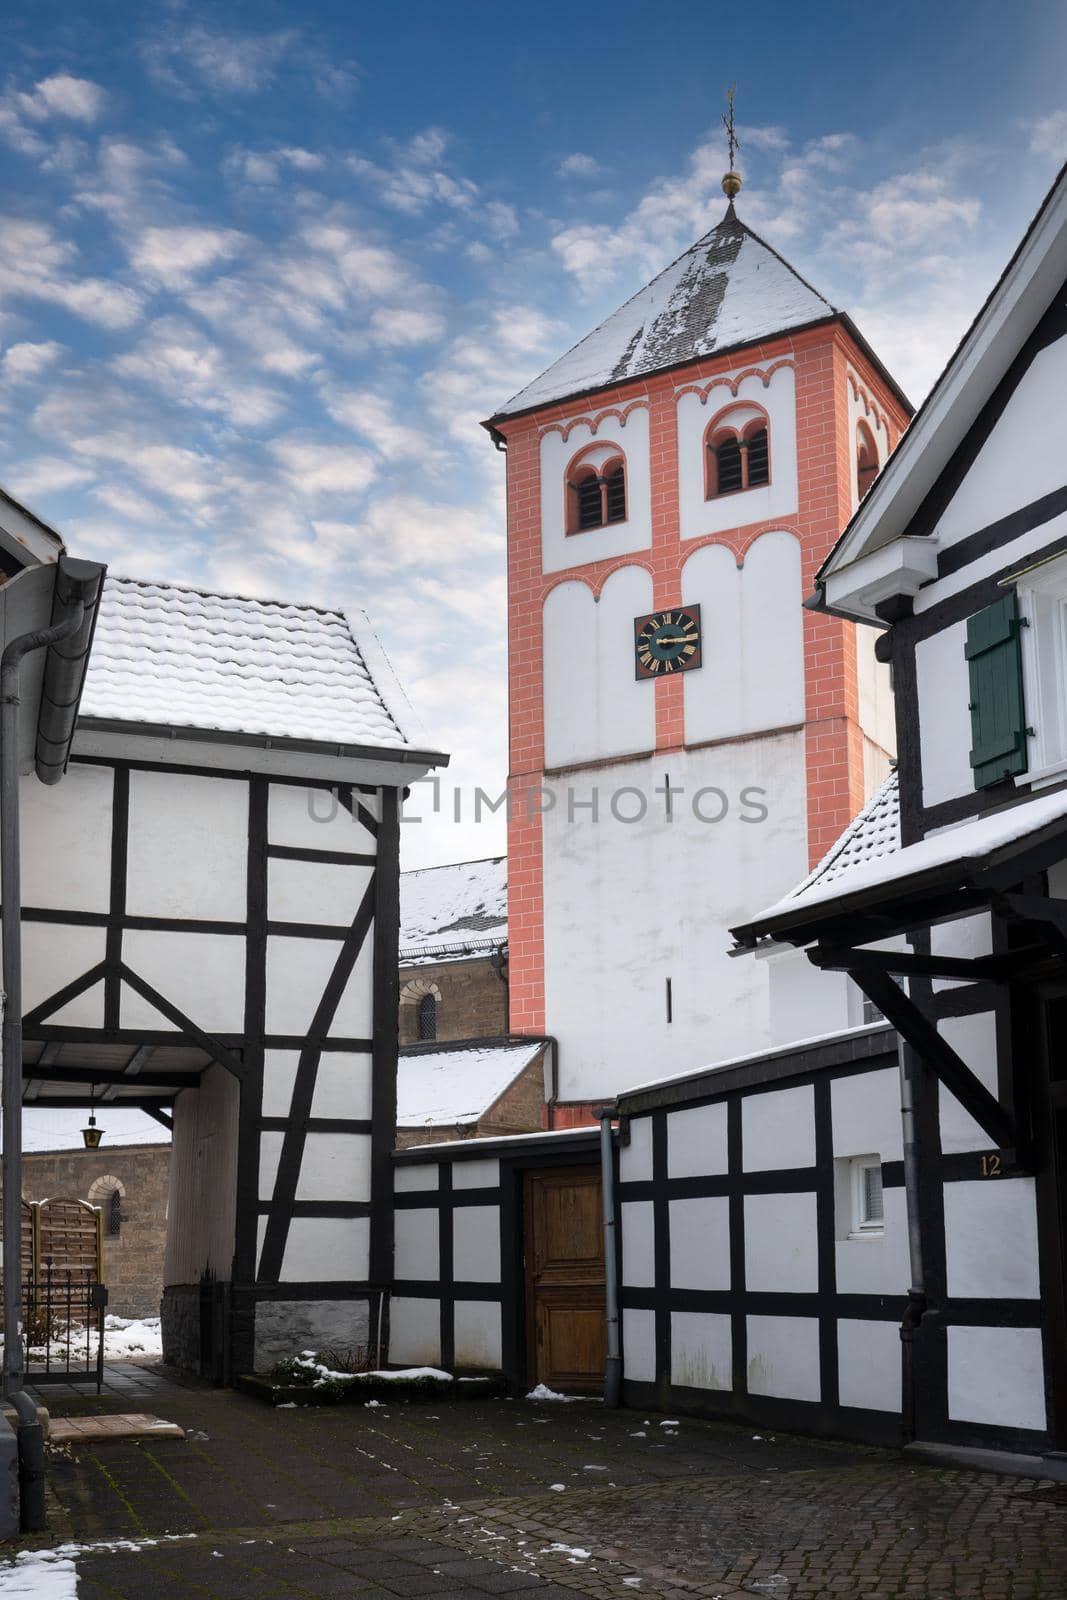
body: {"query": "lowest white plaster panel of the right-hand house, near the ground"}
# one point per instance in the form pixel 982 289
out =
pixel 997 1377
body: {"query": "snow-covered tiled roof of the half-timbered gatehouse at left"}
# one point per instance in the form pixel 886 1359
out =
pixel 174 657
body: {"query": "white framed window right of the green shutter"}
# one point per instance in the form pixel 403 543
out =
pixel 1044 610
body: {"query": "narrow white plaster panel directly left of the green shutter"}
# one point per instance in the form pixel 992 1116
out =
pixel 945 721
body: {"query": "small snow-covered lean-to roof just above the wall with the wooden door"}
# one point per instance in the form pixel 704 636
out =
pixel 442 1089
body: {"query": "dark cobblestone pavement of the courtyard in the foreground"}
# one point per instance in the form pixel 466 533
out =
pixel 470 1500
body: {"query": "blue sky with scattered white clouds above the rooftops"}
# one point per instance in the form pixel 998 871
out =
pixel 263 270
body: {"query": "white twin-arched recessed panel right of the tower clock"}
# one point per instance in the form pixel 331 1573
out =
pixel 753 674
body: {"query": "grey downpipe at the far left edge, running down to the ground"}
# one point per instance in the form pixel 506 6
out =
pixel 30 1431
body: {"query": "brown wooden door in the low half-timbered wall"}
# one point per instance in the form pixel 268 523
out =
pixel 565 1279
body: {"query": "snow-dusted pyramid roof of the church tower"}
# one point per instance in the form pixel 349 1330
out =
pixel 727 290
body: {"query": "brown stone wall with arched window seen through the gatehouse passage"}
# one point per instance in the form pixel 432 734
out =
pixel 134 1258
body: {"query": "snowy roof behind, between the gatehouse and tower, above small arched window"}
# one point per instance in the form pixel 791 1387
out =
pixel 454 913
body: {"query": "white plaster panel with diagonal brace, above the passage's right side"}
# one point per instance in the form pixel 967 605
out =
pixel 201 974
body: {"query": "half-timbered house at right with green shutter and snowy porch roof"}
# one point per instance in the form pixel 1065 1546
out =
pixel 959 556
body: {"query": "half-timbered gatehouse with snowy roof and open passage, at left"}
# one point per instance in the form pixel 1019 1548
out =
pixel 210 910
